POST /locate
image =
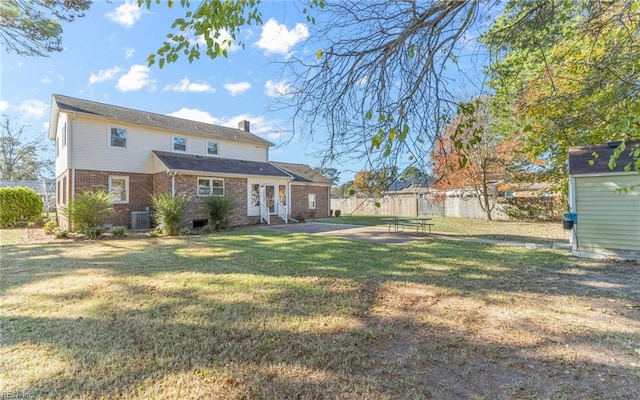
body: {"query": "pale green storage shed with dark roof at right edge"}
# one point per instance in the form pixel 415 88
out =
pixel 605 203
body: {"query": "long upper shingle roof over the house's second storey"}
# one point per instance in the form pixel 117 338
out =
pixel 144 118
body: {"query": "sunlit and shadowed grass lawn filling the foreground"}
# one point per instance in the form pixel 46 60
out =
pixel 261 314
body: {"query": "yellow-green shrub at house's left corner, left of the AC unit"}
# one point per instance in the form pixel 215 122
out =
pixel 89 210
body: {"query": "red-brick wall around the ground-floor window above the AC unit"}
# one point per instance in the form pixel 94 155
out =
pixel 140 189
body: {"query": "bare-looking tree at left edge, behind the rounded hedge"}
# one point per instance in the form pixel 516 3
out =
pixel 21 159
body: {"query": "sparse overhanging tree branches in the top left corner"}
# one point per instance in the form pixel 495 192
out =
pixel 33 27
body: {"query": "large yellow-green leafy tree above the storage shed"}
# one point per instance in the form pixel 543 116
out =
pixel 570 75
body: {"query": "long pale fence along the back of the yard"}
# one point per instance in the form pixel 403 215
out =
pixel 407 207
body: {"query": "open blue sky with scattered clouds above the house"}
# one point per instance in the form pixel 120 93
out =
pixel 105 60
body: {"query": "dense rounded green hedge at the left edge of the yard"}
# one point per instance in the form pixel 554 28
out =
pixel 19 204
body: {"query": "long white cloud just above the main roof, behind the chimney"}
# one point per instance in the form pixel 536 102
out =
pixel 260 126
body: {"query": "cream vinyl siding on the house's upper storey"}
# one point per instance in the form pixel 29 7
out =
pixel 89 148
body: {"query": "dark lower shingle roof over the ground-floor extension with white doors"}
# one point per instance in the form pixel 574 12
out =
pixel 187 162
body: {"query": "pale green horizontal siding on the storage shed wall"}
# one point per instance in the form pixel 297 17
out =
pixel 608 221
